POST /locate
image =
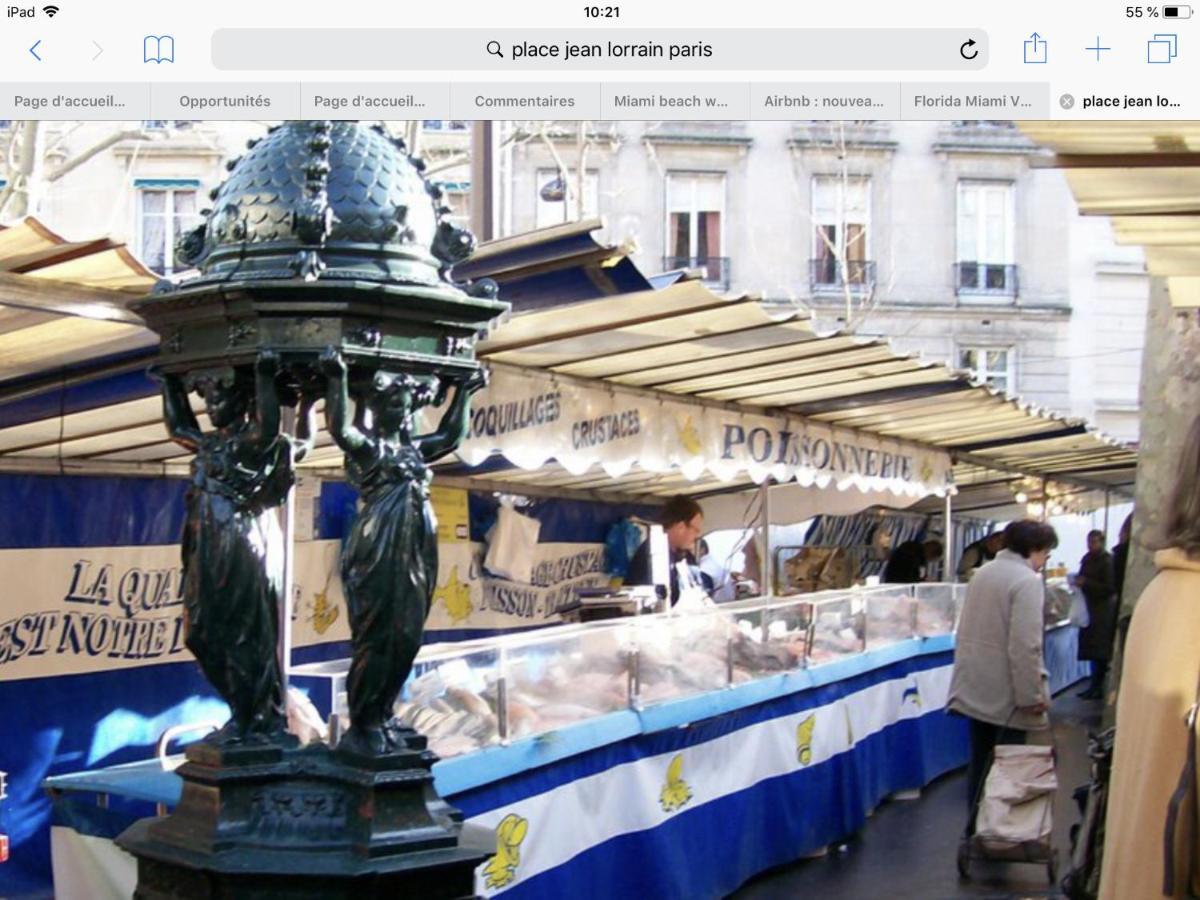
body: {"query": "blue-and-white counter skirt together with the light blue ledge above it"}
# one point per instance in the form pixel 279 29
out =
pixel 687 800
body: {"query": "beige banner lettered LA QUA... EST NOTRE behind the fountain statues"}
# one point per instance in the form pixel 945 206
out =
pixel 103 609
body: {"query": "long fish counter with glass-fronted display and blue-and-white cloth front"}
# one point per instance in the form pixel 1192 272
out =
pixel 673 755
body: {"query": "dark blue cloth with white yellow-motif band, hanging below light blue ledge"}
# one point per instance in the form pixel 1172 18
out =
pixel 739 793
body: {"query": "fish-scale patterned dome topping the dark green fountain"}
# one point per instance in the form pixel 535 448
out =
pixel 321 200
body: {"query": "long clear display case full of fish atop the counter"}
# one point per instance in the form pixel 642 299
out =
pixel 487 693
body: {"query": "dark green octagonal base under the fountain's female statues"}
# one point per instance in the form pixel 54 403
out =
pixel 275 823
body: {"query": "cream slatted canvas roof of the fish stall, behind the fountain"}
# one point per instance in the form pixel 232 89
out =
pixel 680 341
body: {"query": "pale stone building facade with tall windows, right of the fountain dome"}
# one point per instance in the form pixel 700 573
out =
pixel 940 236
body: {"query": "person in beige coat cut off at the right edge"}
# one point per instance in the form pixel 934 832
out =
pixel 1159 687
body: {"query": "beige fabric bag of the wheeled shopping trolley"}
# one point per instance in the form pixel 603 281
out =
pixel 1018 796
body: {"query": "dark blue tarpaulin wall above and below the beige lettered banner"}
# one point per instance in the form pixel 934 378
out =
pixel 68 723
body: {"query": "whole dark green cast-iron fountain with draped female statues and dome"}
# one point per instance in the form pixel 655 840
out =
pixel 323 272
